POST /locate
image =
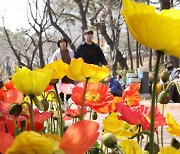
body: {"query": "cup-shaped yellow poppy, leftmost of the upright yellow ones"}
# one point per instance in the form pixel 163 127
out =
pixel 31 82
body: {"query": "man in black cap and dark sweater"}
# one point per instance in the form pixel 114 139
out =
pixel 90 52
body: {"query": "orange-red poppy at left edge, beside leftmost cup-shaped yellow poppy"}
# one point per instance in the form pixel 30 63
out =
pixel 9 94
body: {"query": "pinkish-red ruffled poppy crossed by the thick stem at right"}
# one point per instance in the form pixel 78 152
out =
pixel 139 115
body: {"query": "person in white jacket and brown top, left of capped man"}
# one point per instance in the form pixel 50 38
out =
pixel 66 54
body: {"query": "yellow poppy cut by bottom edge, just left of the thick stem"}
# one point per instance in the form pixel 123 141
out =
pixel 130 146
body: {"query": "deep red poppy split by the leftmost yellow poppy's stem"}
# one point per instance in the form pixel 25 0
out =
pixel 39 119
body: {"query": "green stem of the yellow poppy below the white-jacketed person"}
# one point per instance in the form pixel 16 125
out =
pixel 60 109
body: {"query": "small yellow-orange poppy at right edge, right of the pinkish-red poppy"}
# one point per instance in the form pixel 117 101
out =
pixel 174 127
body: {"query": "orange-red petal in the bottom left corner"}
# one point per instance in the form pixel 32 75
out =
pixel 6 140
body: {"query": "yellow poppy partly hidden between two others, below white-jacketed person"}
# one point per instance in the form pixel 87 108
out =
pixel 58 67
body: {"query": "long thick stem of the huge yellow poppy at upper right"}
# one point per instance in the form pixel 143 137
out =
pixel 159 54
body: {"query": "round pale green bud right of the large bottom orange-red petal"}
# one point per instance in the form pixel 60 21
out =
pixel 109 140
